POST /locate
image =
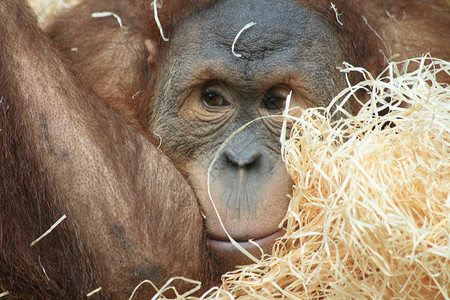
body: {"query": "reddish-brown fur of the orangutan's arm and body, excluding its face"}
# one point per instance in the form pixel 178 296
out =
pixel 88 121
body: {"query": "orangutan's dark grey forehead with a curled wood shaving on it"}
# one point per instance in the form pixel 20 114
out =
pixel 277 25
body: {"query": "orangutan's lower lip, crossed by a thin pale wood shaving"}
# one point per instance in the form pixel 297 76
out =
pixel 227 248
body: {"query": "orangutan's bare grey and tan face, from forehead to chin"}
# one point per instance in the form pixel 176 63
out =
pixel 207 93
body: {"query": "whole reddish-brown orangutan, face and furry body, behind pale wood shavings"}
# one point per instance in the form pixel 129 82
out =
pixel 116 129
